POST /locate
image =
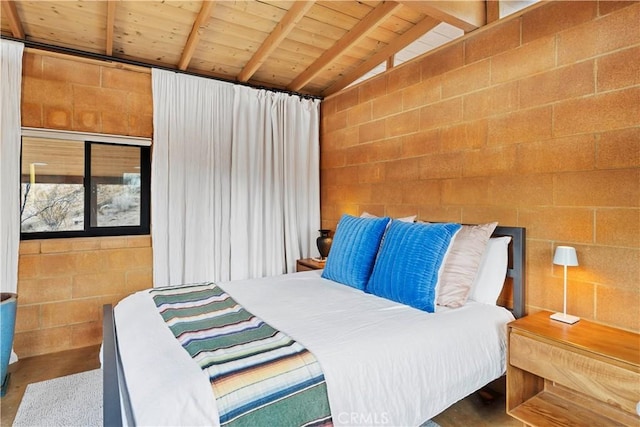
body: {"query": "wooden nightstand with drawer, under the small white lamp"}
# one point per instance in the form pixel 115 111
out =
pixel 582 374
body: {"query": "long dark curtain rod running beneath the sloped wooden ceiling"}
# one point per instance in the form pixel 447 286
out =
pixel 103 57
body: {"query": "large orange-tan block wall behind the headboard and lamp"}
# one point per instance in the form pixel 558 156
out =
pixel 533 121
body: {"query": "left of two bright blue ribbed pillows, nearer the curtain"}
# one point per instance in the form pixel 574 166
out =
pixel 353 251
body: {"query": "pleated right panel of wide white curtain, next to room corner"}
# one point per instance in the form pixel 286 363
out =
pixel 275 182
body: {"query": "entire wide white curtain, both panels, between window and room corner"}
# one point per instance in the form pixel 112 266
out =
pixel 235 180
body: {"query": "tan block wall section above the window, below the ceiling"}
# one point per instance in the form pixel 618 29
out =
pixel 69 93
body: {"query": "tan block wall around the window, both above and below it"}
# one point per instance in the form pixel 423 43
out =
pixel 63 283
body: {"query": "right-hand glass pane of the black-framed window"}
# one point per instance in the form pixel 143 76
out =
pixel 115 185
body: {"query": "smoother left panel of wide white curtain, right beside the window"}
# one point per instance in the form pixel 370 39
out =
pixel 190 174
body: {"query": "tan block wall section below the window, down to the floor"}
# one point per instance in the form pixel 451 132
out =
pixel 63 284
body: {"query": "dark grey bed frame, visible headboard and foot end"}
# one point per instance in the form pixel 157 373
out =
pixel 116 402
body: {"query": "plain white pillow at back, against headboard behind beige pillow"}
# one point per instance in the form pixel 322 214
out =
pixel 488 283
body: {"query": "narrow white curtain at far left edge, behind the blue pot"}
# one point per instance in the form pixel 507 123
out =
pixel 10 86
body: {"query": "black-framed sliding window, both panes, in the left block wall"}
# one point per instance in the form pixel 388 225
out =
pixel 72 188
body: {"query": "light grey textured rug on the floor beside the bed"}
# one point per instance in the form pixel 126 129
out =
pixel 74 400
